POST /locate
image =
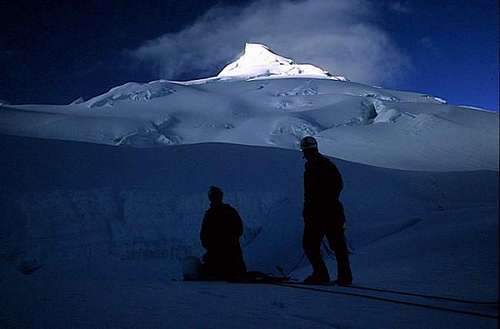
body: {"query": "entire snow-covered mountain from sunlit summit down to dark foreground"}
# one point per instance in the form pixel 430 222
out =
pixel 91 235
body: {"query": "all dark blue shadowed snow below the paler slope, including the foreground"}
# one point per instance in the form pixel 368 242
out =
pixel 109 227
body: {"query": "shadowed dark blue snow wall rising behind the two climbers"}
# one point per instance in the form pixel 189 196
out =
pixel 77 205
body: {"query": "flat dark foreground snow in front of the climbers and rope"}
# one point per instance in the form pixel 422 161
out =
pixel 118 303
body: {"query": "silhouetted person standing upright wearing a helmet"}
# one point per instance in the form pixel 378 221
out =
pixel 323 215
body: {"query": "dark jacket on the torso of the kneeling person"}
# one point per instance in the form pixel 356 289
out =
pixel 221 231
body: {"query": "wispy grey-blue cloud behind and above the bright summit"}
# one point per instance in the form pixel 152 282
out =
pixel 339 36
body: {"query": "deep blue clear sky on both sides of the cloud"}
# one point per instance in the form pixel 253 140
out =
pixel 57 51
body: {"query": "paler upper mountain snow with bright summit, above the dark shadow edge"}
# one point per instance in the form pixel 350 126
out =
pixel 265 99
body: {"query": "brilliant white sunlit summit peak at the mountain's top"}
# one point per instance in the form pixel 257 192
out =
pixel 258 61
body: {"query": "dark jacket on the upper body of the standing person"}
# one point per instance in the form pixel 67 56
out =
pixel 322 186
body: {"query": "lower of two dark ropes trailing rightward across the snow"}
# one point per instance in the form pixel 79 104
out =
pixel 384 299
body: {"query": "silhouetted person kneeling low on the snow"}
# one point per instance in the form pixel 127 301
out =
pixel 220 236
